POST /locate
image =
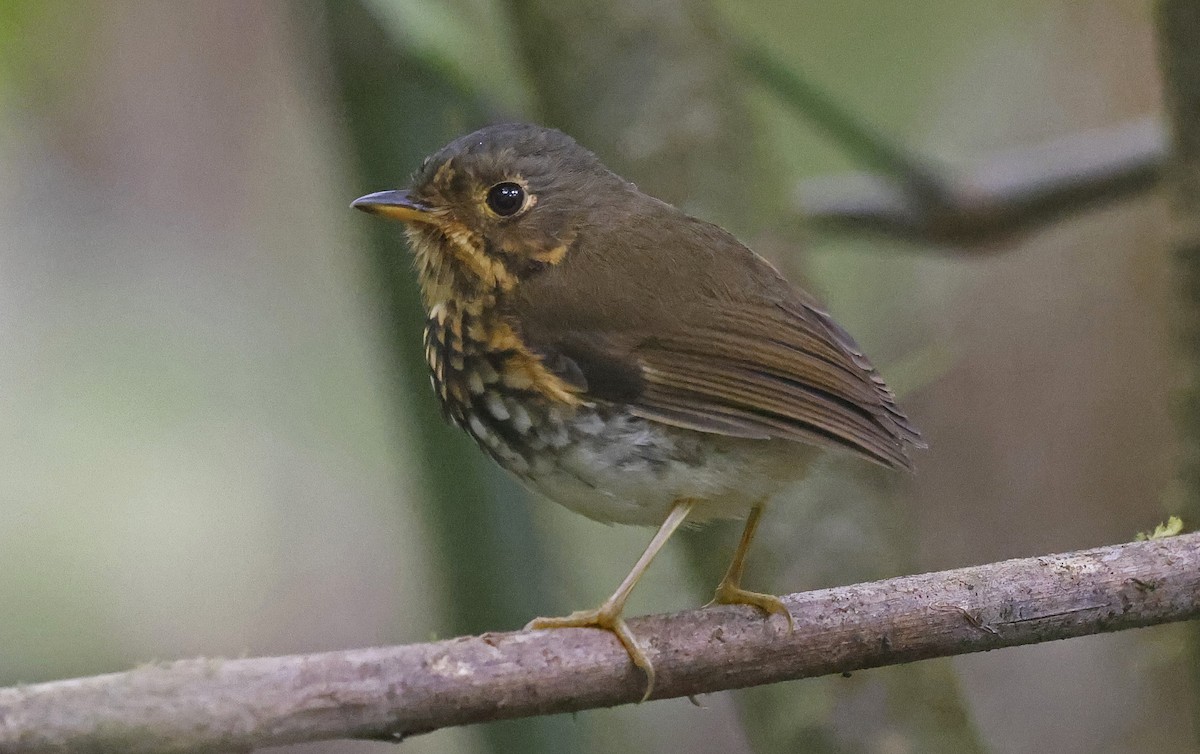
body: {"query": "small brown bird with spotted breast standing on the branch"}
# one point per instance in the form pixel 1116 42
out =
pixel 627 361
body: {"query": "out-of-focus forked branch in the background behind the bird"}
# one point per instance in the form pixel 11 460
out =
pixel 1012 194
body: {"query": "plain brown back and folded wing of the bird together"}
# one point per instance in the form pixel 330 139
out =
pixel 709 337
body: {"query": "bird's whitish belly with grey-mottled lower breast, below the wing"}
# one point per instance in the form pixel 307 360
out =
pixel 615 468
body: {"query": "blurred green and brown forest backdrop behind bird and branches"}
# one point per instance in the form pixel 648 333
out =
pixel 219 440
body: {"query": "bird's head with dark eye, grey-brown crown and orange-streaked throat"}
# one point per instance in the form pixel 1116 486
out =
pixel 496 207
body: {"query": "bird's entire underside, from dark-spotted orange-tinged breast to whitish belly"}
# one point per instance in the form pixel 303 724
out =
pixel 595 458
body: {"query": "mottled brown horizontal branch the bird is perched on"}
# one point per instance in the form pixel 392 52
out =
pixel 397 692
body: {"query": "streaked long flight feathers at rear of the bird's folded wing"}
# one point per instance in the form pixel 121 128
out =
pixel 776 374
